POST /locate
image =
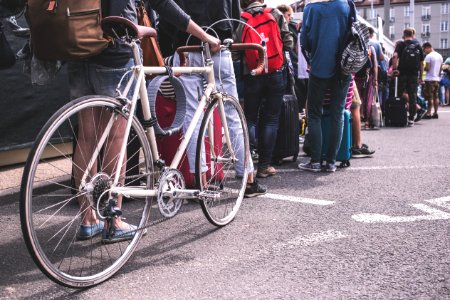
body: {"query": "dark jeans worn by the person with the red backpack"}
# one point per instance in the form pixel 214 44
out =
pixel 271 88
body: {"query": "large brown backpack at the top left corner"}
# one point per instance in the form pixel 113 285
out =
pixel 65 30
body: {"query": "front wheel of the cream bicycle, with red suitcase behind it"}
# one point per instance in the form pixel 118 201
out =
pixel 222 168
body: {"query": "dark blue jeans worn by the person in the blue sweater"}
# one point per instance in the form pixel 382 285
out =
pixel 316 92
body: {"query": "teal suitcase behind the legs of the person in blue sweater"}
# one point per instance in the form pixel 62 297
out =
pixel 344 152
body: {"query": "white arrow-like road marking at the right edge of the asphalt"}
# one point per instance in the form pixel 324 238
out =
pixel 432 214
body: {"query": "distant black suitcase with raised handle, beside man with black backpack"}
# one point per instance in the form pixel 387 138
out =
pixel 396 114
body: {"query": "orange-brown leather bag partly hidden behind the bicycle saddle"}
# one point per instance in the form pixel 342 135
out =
pixel 150 49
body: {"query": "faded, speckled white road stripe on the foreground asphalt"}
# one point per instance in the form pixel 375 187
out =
pixel 311 239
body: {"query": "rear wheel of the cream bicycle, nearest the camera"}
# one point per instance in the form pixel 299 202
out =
pixel 53 202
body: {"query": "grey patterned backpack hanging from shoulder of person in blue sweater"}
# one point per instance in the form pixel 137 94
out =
pixel 354 54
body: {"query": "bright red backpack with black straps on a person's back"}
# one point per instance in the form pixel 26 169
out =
pixel 266 25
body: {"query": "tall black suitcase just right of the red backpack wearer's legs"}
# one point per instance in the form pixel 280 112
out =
pixel 287 144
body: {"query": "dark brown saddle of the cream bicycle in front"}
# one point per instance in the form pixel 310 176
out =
pixel 121 27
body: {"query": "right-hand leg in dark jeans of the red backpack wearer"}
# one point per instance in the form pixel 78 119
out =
pixel 274 87
